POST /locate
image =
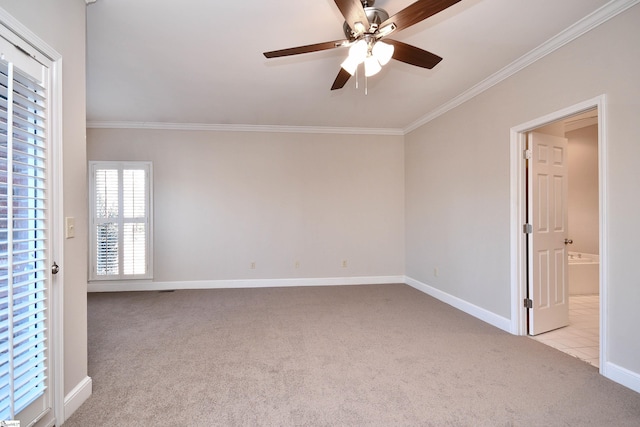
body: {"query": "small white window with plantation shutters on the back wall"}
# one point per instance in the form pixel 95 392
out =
pixel 121 220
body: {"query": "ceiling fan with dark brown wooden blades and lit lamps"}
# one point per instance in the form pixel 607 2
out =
pixel 365 26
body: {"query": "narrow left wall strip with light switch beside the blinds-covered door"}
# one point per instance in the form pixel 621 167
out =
pixel 61 24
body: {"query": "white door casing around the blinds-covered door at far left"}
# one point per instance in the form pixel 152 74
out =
pixel 55 200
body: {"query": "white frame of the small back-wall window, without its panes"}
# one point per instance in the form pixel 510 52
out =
pixel 120 166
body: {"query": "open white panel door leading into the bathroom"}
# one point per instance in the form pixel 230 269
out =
pixel 548 187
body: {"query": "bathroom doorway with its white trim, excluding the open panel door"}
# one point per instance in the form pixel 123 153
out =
pixel 585 239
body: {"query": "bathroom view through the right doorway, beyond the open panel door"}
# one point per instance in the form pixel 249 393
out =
pixel 579 333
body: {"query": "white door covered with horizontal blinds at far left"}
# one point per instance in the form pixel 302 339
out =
pixel 25 238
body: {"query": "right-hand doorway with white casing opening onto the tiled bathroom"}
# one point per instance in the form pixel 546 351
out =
pixel 576 120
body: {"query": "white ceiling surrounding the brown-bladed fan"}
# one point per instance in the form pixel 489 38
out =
pixel 201 62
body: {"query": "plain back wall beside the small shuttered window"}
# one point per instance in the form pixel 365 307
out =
pixel 223 200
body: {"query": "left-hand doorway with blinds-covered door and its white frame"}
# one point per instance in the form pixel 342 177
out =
pixel 31 389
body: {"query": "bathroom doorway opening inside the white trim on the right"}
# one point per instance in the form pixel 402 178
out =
pixel 576 328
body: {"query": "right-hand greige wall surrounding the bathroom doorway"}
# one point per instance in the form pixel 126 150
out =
pixel 457 177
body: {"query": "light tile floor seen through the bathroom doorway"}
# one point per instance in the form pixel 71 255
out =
pixel 582 337
